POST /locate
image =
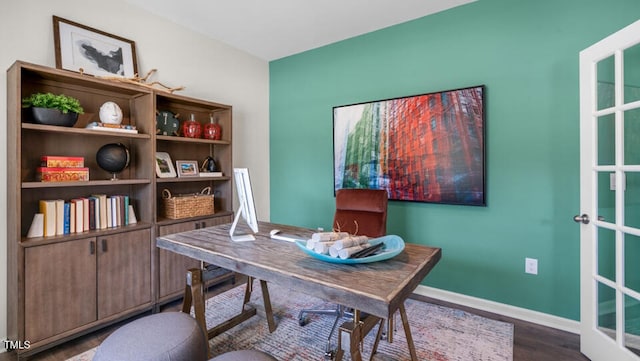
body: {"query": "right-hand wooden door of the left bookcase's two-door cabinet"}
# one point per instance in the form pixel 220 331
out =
pixel 124 274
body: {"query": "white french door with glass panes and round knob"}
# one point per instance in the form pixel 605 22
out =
pixel 610 197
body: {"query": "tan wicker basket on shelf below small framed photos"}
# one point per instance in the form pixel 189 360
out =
pixel 187 205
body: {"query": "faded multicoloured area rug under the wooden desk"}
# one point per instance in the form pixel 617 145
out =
pixel 439 333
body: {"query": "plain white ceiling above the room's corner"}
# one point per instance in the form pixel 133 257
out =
pixel 272 29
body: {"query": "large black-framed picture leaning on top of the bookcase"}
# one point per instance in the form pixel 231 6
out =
pixel 86 50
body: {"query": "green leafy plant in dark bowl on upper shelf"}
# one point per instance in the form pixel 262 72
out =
pixel 52 109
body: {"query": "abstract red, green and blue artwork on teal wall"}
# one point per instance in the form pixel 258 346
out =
pixel 425 148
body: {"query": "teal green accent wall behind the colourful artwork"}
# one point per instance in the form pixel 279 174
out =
pixel 526 53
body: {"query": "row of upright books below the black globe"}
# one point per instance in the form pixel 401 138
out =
pixel 99 211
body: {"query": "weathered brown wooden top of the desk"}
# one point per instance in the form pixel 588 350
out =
pixel 377 288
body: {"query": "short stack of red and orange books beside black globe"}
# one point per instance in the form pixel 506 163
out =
pixel 62 169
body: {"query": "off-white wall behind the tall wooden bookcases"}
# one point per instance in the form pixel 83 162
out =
pixel 207 68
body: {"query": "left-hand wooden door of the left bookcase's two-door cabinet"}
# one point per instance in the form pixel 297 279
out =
pixel 60 283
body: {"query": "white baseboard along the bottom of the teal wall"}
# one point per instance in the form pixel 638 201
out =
pixel 524 314
